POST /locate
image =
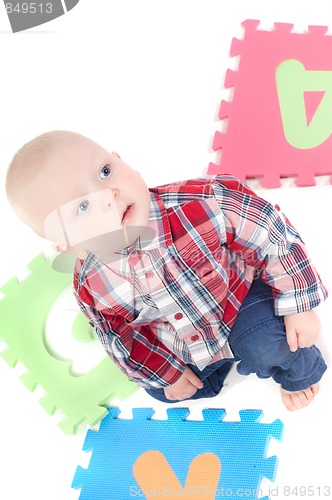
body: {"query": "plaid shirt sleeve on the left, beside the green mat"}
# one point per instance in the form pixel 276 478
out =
pixel 136 351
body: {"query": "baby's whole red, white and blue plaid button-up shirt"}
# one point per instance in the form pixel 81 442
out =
pixel 163 304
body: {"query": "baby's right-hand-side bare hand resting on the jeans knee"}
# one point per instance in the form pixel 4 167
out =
pixel 302 329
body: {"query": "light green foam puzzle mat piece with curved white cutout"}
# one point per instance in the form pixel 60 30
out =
pixel 23 313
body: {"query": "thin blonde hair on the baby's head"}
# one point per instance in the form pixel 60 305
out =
pixel 25 166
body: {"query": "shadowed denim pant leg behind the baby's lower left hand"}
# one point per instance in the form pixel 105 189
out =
pixel 213 377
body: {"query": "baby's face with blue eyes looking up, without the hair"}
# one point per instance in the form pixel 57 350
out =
pixel 93 200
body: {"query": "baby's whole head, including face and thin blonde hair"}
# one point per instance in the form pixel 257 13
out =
pixel 76 194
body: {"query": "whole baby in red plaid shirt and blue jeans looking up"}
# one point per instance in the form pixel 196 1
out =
pixel 181 280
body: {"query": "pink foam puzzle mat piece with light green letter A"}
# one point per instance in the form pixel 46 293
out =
pixel 279 121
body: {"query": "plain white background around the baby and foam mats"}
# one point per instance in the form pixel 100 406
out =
pixel 145 78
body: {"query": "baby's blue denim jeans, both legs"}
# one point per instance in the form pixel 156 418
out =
pixel 258 341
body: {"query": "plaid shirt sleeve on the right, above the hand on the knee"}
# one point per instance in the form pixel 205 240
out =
pixel 260 235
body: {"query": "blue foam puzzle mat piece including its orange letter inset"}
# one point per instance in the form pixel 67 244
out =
pixel 152 458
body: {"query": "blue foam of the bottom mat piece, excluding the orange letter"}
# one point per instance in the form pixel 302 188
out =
pixel 240 446
